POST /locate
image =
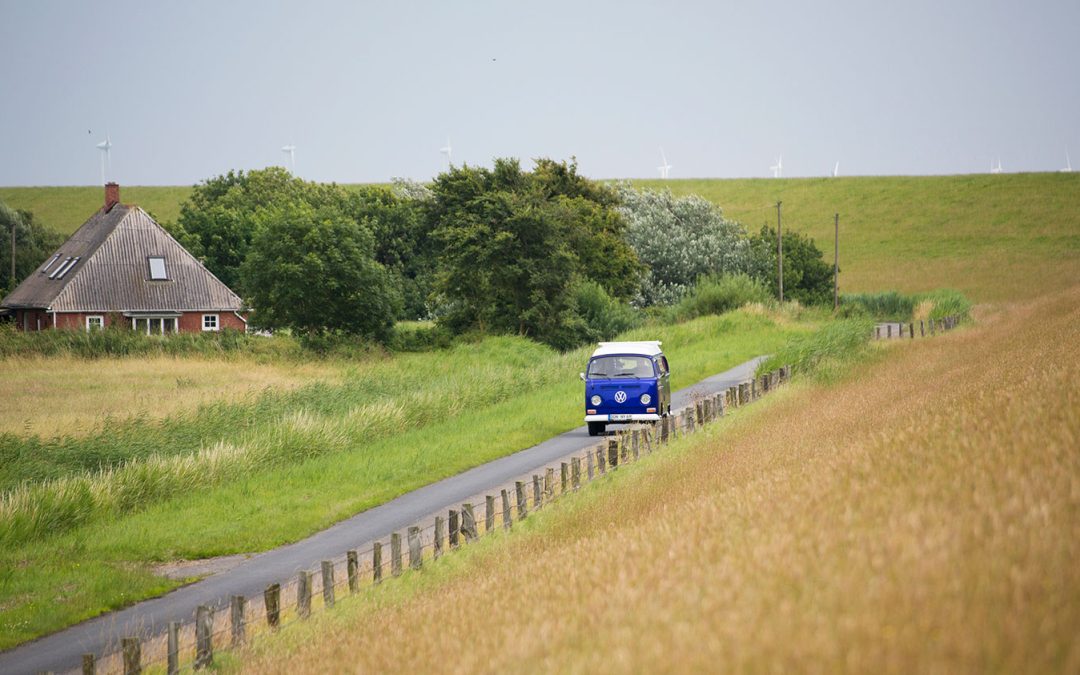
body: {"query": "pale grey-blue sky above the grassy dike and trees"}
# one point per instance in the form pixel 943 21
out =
pixel 368 91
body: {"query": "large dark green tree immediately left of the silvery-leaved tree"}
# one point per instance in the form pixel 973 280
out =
pixel 515 245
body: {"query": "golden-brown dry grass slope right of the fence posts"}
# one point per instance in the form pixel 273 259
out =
pixel 922 517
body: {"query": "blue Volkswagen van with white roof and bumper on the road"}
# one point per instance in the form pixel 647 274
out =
pixel 626 383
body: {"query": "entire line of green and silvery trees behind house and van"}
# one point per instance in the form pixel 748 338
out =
pixel 545 253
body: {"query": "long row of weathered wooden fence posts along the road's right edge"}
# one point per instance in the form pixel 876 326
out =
pixel 460 525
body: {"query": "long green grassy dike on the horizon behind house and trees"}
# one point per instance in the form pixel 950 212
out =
pixel 994 237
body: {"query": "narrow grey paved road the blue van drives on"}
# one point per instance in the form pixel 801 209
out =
pixel 63 652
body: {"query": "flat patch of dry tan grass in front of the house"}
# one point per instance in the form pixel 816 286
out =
pixel 70 396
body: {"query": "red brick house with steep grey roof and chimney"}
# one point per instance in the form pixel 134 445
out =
pixel 123 268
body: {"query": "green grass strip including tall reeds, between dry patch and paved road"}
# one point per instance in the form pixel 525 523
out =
pixel 310 458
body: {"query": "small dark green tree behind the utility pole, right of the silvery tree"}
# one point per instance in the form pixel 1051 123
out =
pixel 807 277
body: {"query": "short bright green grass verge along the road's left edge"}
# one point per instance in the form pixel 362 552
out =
pixel 104 563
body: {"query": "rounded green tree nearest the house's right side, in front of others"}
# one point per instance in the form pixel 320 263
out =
pixel 314 271
